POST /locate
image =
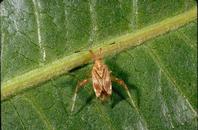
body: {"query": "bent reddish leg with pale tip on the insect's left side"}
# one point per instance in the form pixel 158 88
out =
pixel 79 85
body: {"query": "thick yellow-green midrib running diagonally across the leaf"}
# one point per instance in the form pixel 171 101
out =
pixel 109 47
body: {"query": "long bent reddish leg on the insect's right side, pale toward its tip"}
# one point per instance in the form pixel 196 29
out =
pixel 122 83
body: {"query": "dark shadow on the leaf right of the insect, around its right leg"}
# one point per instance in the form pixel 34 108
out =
pixel 119 93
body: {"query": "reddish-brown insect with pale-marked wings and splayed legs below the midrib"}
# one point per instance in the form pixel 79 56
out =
pixel 101 80
